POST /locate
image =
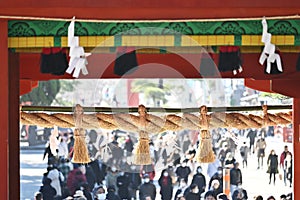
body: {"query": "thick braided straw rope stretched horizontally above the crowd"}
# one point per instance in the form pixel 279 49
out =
pixel 157 124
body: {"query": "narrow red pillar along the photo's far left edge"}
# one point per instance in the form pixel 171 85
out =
pixel 4 111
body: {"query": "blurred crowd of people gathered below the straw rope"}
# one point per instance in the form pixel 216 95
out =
pixel 173 174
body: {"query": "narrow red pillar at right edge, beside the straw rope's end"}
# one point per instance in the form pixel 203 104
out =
pixel 296 127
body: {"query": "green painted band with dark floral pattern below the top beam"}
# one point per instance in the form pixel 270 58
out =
pixel 27 28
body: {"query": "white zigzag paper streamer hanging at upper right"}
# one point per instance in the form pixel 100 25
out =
pixel 269 55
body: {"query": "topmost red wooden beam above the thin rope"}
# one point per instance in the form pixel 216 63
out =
pixel 134 9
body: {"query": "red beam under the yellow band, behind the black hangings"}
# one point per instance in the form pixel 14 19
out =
pixel 162 66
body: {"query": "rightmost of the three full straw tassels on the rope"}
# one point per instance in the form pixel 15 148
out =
pixel 205 152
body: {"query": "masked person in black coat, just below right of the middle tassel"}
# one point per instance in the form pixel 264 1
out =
pixel 166 187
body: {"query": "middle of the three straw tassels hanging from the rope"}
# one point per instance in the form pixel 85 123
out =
pixel 142 150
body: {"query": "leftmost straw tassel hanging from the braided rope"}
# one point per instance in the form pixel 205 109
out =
pixel 80 154
